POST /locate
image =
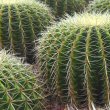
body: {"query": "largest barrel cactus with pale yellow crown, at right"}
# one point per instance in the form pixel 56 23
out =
pixel 74 60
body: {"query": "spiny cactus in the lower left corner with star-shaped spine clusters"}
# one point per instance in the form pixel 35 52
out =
pixel 19 89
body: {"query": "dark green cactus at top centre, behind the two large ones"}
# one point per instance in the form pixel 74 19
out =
pixel 61 7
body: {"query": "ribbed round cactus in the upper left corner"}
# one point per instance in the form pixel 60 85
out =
pixel 21 22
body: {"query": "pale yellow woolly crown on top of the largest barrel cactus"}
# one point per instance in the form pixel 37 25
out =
pixel 93 19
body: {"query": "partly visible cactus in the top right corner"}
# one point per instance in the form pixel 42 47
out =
pixel 99 6
